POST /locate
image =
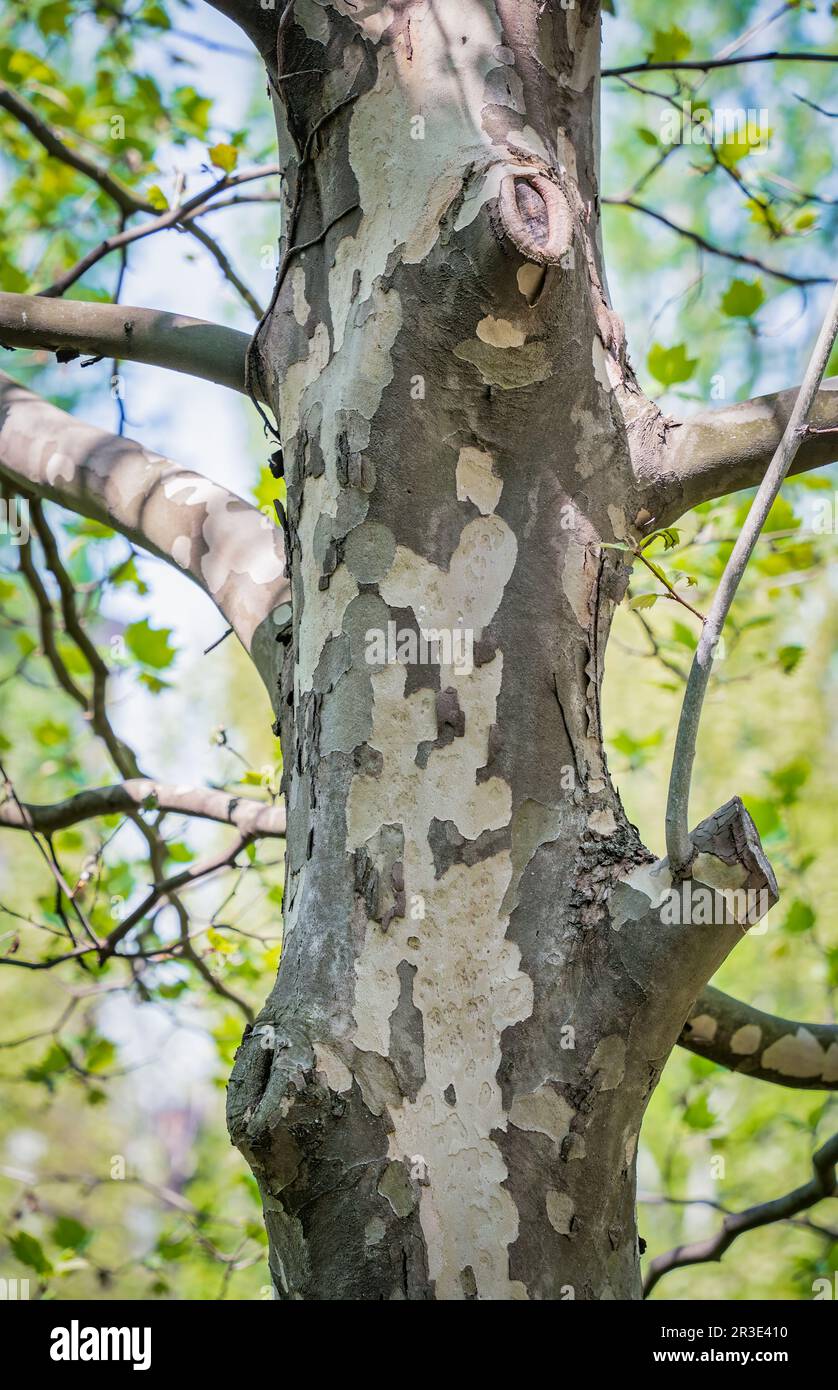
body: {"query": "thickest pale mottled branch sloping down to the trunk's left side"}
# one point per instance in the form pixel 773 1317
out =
pixel 223 543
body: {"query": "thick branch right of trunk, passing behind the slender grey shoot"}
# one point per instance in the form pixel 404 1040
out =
pixel 722 451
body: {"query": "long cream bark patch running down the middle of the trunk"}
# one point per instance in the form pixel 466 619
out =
pixel 468 985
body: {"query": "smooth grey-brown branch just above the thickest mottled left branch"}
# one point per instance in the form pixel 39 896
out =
pixel 151 336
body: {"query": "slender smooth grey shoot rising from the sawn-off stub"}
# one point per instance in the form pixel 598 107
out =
pixel 679 843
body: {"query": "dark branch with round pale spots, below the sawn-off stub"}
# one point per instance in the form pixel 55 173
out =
pixel 743 1039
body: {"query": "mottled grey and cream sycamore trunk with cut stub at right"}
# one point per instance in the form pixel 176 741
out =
pixel 443 1096
